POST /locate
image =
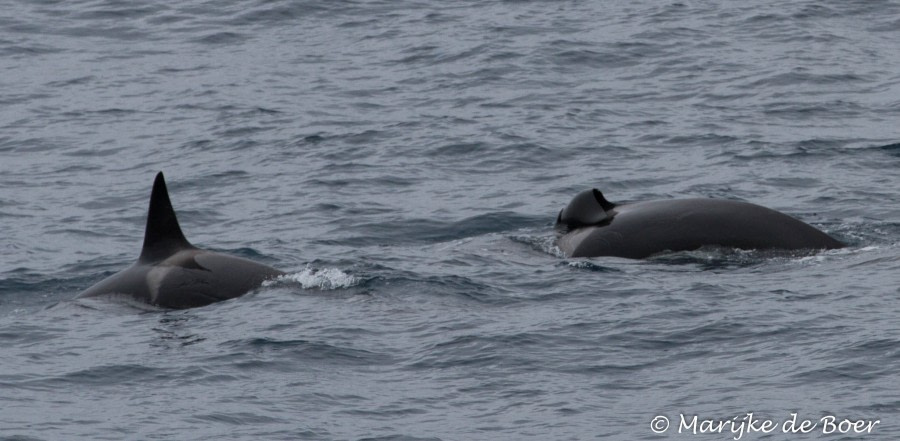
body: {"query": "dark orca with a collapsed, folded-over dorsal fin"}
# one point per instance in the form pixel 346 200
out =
pixel 591 226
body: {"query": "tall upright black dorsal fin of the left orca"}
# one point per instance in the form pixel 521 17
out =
pixel 163 236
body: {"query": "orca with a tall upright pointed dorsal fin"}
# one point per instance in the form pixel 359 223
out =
pixel 172 273
